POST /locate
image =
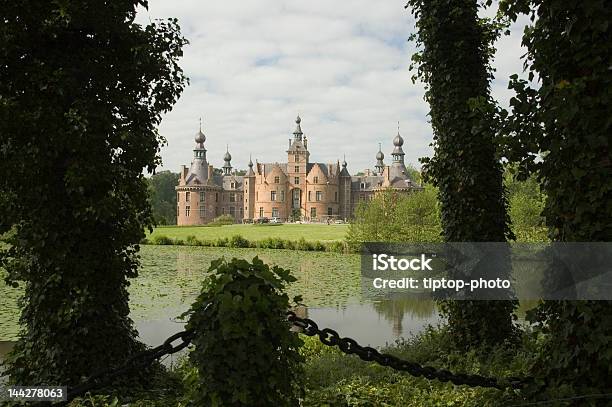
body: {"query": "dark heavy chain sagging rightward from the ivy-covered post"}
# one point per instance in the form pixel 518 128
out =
pixel 349 346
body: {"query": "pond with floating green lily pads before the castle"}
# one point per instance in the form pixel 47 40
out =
pixel 329 283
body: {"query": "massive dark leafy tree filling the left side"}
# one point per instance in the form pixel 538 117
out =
pixel 82 90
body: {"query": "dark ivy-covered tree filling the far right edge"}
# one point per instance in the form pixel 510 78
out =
pixel 567 122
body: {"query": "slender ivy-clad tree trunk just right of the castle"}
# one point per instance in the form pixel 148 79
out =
pixel 454 63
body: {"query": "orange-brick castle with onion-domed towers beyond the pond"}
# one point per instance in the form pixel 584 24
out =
pixel 297 189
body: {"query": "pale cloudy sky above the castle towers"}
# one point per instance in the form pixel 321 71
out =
pixel 342 65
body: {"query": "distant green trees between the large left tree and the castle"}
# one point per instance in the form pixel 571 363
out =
pixel 163 197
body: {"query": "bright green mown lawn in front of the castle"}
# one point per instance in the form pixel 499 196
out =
pixel 311 232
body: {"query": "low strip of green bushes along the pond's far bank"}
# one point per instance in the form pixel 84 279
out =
pixel 238 241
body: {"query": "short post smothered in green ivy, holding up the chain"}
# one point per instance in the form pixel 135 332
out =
pixel 245 353
